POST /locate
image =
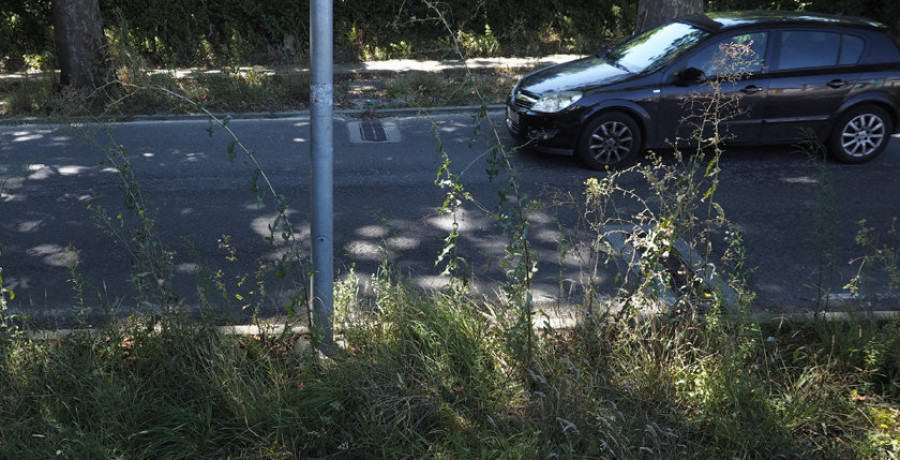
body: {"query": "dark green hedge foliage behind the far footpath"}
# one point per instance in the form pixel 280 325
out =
pixel 232 32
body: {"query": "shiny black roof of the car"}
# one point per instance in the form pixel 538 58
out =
pixel 738 19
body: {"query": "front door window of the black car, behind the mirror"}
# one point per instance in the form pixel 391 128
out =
pixel 733 54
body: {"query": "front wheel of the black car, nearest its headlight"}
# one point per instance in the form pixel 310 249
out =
pixel 610 140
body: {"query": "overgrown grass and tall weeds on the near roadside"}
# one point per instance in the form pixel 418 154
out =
pixel 672 365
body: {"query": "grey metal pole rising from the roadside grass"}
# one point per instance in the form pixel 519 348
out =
pixel 322 156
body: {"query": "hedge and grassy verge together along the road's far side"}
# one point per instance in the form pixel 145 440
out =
pixel 244 55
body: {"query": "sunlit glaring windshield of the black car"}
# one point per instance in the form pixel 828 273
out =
pixel 655 47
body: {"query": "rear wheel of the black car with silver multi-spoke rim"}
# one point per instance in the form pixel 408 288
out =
pixel 860 134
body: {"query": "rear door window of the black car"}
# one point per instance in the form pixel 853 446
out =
pixel 802 49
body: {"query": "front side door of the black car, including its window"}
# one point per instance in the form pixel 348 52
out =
pixel 730 96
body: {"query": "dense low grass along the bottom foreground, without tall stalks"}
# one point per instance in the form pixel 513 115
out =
pixel 430 376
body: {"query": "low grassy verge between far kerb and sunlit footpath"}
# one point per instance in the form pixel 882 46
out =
pixel 254 90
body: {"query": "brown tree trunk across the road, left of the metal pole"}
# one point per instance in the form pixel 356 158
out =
pixel 80 44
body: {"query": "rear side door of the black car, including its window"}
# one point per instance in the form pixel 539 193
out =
pixel 812 73
